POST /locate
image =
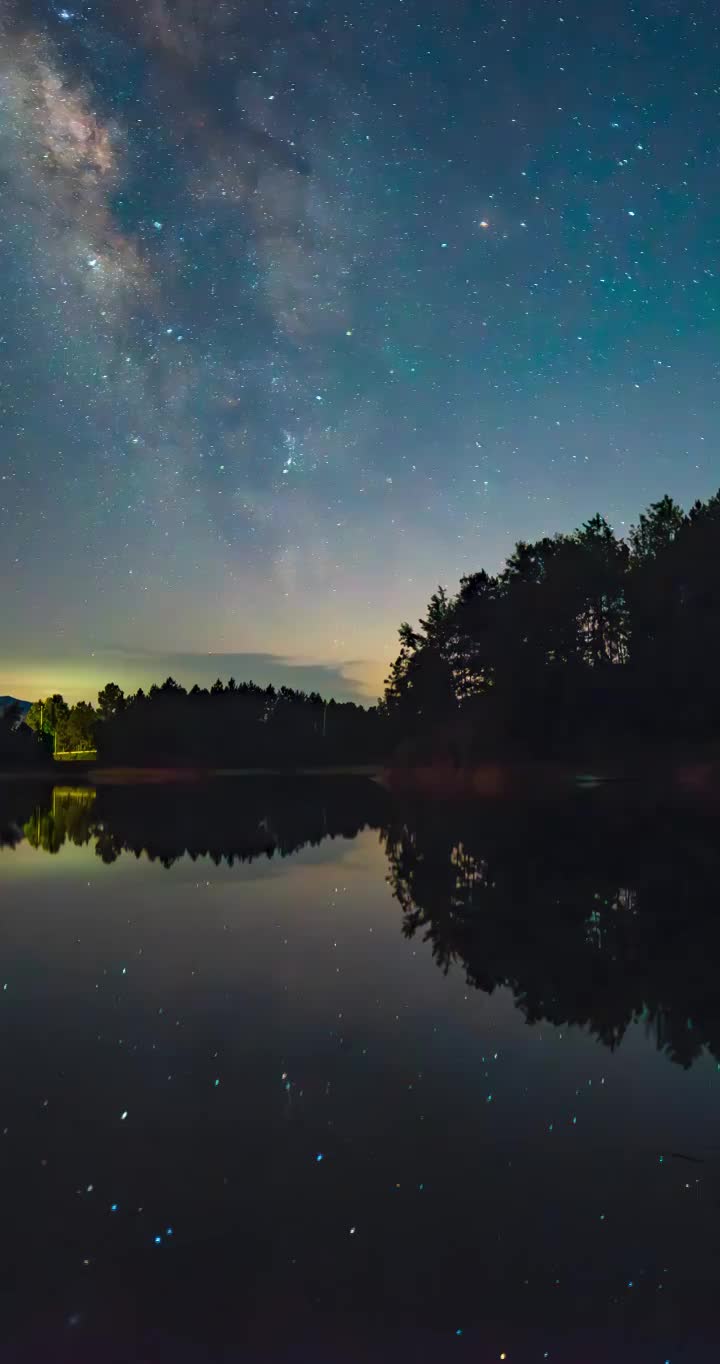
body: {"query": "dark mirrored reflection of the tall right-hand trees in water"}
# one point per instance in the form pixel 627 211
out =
pixel 587 921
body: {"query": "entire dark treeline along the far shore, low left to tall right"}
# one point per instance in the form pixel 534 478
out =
pixel 588 655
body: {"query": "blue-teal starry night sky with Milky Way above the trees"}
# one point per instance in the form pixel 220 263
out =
pixel 307 308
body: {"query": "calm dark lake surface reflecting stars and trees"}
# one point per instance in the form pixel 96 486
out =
pixel 292 1074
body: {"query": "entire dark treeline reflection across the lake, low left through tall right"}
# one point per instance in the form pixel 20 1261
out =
pixel 590 919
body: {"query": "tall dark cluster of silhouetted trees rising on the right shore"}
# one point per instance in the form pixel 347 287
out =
pixel 580 640
